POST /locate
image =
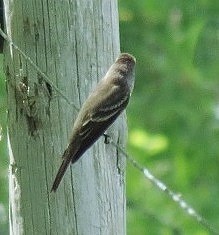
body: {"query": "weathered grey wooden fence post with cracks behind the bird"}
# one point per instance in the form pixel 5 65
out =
pixel 74 43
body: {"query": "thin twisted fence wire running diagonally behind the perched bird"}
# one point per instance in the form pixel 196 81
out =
pixel 177 198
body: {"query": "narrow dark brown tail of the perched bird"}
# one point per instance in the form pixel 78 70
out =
pixel 62 169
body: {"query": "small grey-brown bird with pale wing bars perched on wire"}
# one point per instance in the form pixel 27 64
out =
pixel 105 103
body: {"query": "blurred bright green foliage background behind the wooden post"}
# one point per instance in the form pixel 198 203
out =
pixel 173 116
